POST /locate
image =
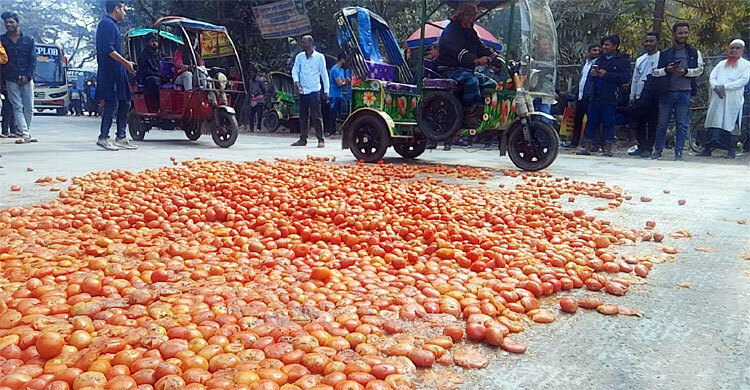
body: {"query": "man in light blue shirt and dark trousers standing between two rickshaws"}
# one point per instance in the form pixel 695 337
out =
pixel 308 71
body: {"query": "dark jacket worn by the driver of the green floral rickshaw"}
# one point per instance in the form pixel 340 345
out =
pixel 460 46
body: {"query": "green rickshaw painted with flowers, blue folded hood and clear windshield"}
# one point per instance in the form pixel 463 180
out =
pixel 391 107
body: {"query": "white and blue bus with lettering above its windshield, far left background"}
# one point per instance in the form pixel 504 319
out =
pixel 50 79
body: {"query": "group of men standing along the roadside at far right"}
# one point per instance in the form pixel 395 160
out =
pixel 662 86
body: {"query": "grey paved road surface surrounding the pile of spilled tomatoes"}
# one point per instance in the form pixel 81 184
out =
pixel 689 338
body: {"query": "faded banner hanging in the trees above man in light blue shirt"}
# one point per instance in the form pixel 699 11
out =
pixel 281 19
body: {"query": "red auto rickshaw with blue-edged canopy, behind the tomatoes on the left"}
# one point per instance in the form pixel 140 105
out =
pixel 207 108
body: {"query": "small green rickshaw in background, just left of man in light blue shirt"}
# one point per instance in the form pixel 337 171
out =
pixel 284 108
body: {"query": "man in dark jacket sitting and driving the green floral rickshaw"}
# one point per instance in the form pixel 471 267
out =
pixel 461 51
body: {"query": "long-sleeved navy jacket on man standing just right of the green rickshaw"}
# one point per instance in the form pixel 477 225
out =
pixel 607 89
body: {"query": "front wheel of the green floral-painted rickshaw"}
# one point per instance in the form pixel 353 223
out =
pixel 538 154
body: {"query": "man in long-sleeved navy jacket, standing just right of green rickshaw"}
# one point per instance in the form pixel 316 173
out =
pixel 609 72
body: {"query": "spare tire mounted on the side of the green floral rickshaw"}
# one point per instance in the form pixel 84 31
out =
pixel 439 115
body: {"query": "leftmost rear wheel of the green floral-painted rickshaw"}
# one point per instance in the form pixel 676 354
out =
pixel 368 138
